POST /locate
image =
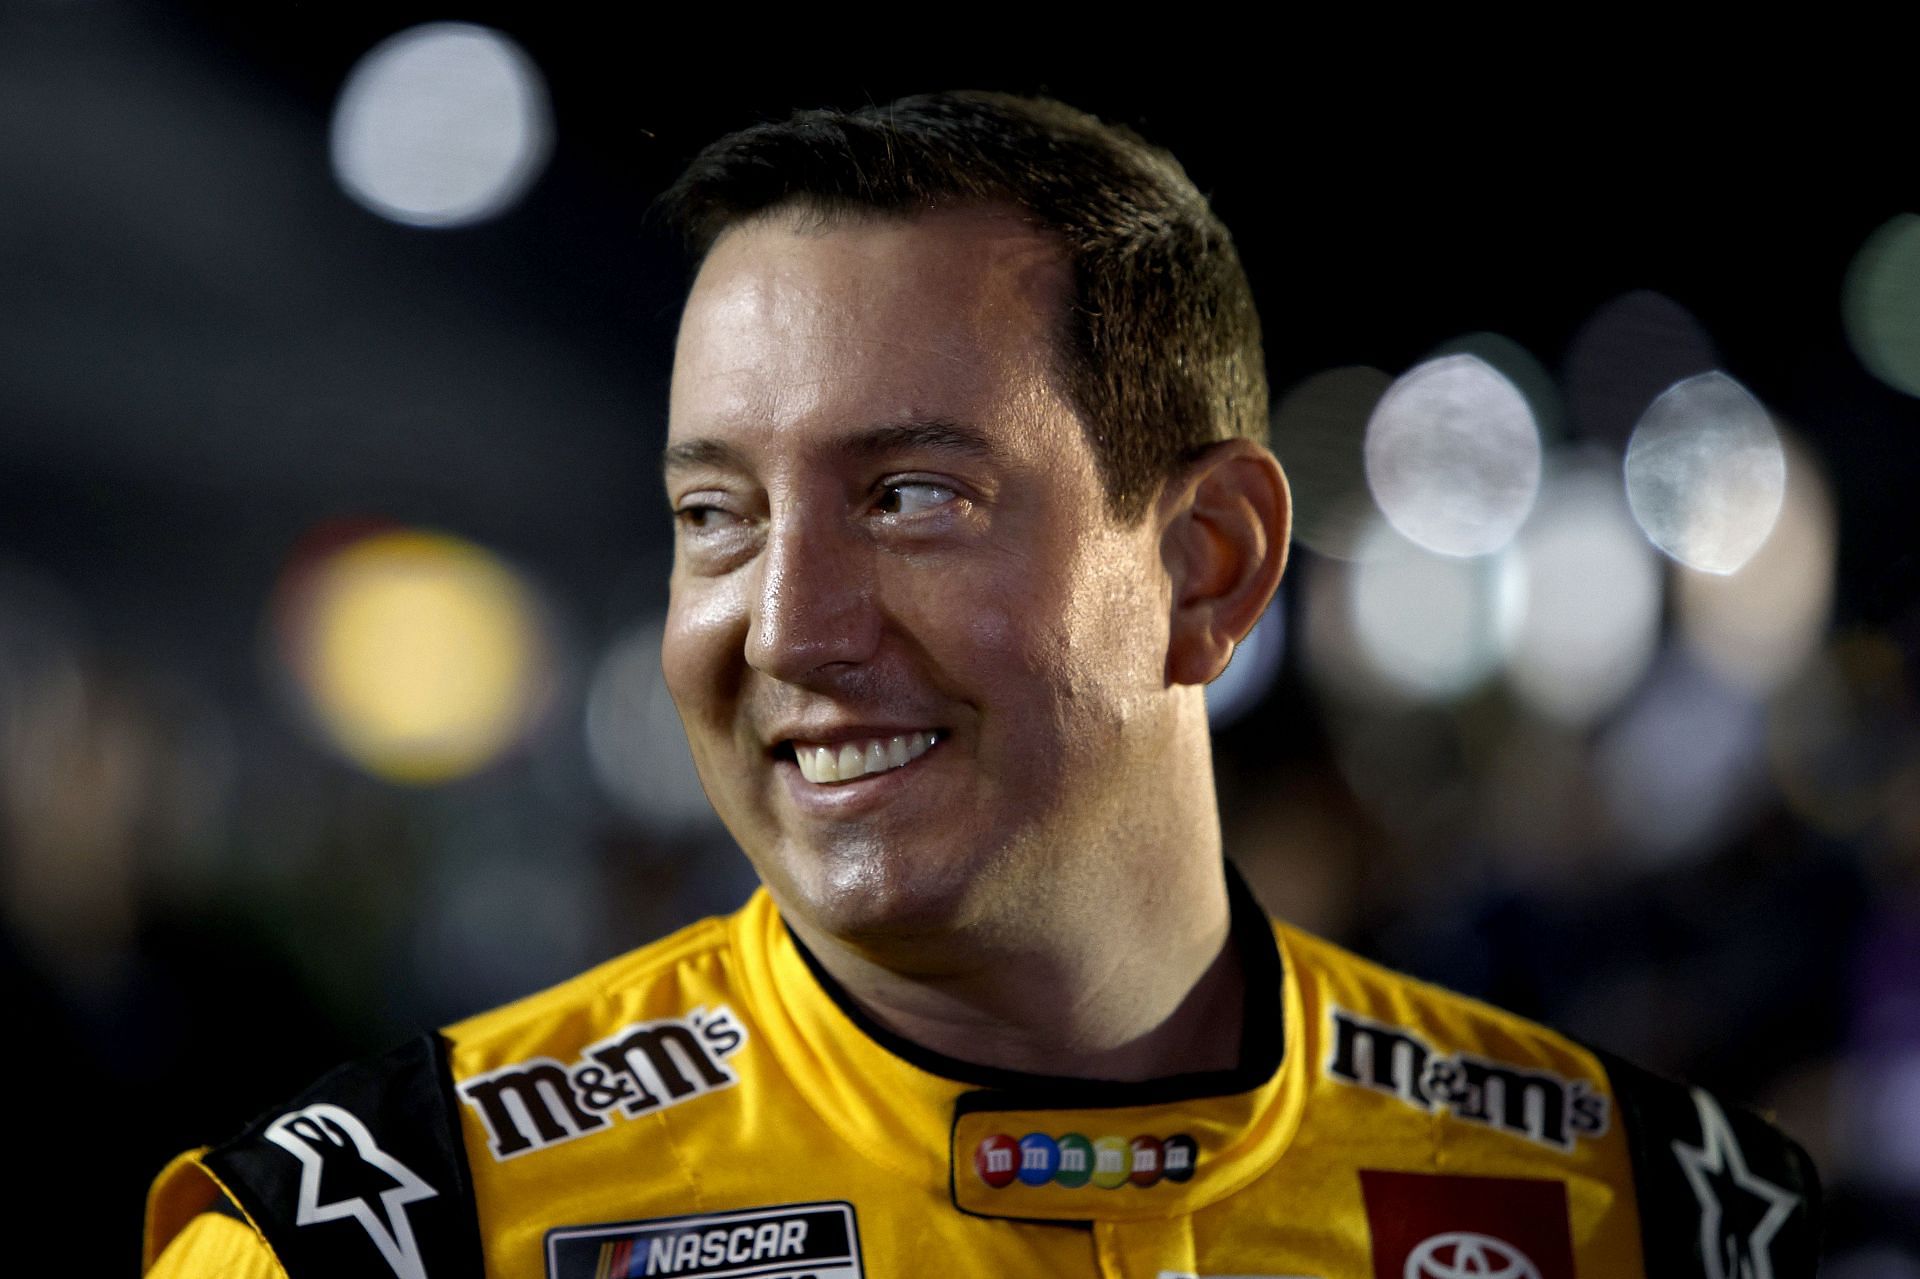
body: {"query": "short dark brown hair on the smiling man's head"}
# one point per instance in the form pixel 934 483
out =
pixel 1163 341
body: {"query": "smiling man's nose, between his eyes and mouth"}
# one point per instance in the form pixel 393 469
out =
pixel 813 608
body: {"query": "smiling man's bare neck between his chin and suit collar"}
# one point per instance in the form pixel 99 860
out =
pixel 1115 1001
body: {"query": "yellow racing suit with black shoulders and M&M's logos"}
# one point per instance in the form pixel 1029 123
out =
pixel 715 1107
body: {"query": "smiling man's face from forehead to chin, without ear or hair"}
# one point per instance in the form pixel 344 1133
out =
pixel 919 664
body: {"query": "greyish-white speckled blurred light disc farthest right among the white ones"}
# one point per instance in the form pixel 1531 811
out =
pixel 1706 473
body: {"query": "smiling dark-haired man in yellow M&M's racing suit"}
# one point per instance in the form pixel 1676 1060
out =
pixel 971 504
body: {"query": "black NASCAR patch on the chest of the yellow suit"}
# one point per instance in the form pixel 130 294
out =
pixel 784 1242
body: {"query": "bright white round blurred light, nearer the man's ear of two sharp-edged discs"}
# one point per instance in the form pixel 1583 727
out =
pixel 1454 456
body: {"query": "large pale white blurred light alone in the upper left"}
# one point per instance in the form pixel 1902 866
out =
pixel 443 126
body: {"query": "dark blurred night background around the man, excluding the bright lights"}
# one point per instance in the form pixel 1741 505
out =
pixel 210 356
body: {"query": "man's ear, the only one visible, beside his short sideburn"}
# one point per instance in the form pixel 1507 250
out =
pixel 1224 541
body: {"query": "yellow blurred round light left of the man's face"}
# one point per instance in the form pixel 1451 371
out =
pixel 420 654
